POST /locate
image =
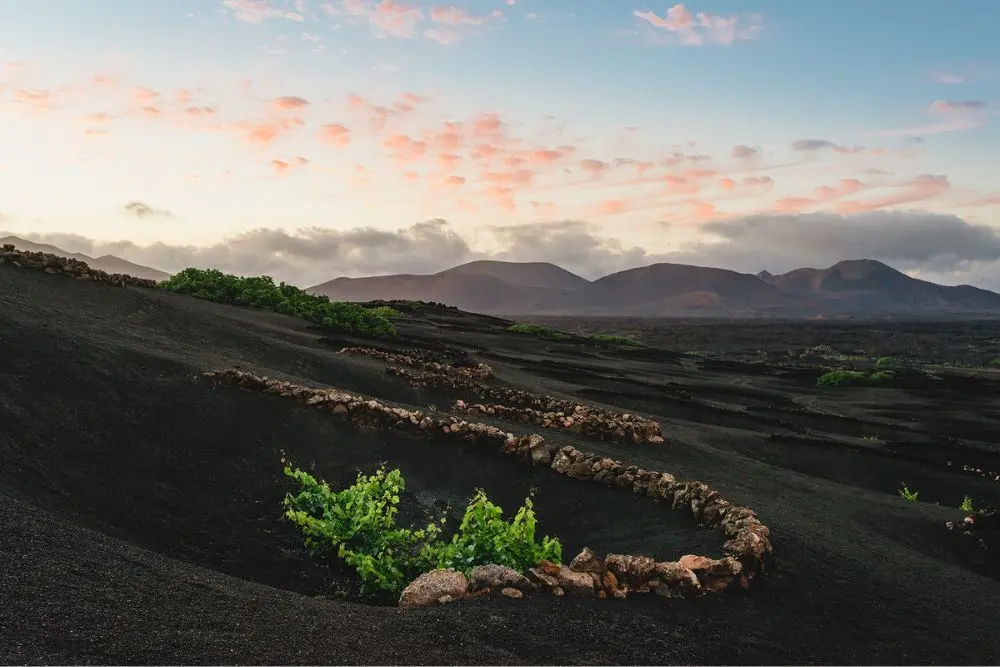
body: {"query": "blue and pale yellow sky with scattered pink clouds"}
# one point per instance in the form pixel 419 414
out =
pixel 311 139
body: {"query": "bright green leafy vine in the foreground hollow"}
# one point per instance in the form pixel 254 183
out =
pixel 358 526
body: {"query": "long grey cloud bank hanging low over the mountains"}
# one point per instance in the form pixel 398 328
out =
pixel 931 243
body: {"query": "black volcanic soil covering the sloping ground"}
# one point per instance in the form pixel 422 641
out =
pixel 141 509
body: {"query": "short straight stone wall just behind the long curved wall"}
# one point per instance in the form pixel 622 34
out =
pixel 582 420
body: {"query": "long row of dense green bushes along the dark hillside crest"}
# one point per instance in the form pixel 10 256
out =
pixel 261 292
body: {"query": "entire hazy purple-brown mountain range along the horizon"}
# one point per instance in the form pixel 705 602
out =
pixel 861 287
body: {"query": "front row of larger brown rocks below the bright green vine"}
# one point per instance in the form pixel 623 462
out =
pixel 587 576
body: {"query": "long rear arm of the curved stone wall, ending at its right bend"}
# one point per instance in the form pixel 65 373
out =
pixel 749 540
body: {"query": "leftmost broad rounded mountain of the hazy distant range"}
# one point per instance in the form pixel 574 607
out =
pixel 485 286
